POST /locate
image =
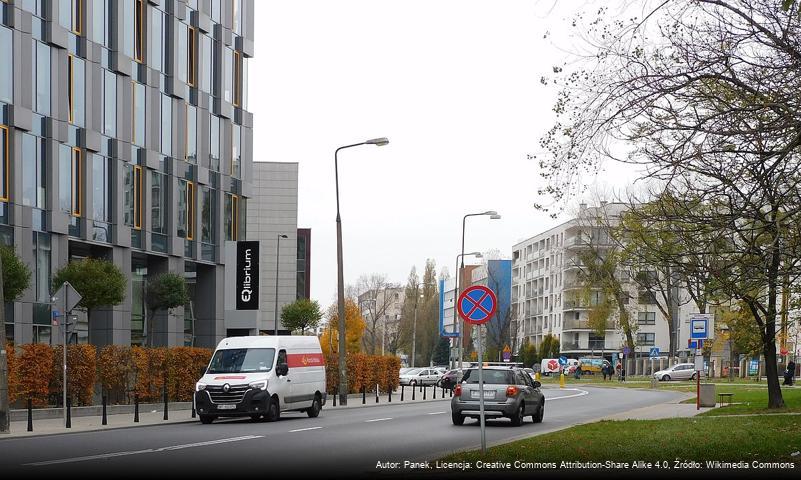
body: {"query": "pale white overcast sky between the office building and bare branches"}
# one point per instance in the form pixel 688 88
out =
pixel 455 87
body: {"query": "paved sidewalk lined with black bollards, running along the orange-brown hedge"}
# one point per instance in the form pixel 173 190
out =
pixel 179 412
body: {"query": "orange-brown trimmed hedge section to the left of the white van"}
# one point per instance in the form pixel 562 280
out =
pixel 35 371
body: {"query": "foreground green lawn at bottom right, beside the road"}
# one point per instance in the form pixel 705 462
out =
pixel 760 438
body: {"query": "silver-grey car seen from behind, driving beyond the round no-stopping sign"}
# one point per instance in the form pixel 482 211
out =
pixel 508 392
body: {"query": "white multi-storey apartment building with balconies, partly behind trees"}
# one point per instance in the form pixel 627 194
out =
pixel 546 300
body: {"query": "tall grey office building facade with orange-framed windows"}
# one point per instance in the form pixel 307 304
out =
pixel 125 135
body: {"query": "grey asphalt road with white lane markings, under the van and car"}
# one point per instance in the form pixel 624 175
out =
pixel 347 442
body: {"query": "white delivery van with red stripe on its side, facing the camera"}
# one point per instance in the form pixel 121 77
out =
pixel 261 377
